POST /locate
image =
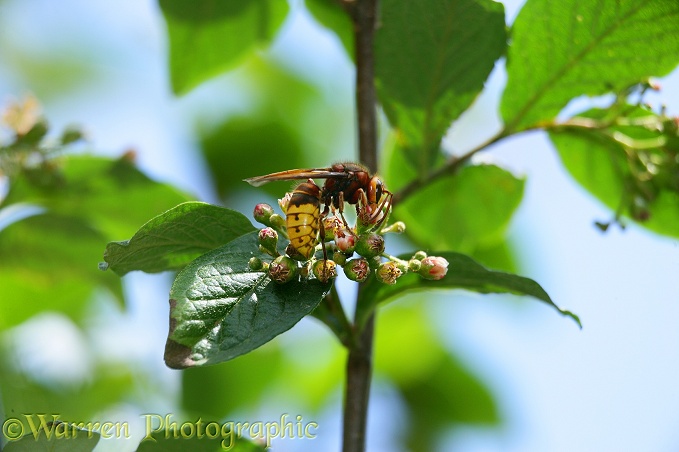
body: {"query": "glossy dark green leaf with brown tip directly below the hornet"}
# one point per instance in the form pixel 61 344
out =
pixel 220 309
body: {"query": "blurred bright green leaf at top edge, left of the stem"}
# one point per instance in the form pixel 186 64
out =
pixel 208 37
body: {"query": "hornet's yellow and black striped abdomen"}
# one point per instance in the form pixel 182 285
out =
pixel 303 218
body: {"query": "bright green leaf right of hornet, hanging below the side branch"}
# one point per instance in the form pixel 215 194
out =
pixel 463 211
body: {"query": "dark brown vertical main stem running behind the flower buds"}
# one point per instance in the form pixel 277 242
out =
pixel 359 361
